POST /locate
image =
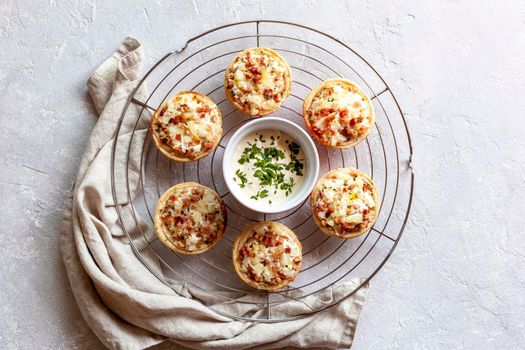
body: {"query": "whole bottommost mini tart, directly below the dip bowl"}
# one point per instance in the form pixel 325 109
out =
pixel 267 255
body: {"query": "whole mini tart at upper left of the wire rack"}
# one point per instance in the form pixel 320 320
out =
pixel 187 127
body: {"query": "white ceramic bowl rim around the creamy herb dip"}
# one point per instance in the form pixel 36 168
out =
pixel 310 172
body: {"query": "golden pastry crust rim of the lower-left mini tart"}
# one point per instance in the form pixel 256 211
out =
pixel 163 233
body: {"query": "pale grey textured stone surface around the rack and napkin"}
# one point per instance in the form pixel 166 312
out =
pixel 457 279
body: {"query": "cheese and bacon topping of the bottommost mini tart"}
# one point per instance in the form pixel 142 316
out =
pixel 269 256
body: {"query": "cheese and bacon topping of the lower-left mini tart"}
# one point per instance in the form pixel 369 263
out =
pixel 192 218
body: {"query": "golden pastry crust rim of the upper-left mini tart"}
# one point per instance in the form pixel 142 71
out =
pixel 169 151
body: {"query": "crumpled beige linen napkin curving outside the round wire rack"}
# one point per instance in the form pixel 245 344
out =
pixel 125 305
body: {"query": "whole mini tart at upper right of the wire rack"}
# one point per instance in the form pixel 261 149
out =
pixel 338 113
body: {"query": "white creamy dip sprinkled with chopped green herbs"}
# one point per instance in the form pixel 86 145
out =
pixel 269 166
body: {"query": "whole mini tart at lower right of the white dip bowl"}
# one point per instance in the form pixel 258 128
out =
pixel 345 203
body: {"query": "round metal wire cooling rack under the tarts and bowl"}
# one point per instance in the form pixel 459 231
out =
pixel 327 261
